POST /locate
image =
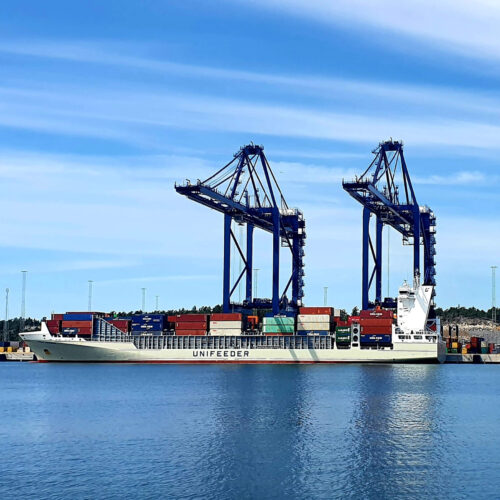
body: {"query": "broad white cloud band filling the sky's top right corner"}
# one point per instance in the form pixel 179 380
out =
pixel 461 26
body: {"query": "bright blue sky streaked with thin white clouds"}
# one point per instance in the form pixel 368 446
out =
pixel 105 105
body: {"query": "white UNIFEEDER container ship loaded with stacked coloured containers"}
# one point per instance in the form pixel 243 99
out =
pixel 405 333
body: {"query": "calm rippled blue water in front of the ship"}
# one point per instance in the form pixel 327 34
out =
pixel 332 431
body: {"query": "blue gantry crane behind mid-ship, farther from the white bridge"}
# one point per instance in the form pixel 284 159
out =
pixel 245 190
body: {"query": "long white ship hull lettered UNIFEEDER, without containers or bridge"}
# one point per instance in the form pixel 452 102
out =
pixel 70 350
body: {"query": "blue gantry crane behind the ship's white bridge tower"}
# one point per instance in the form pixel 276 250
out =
pixel 378 190
